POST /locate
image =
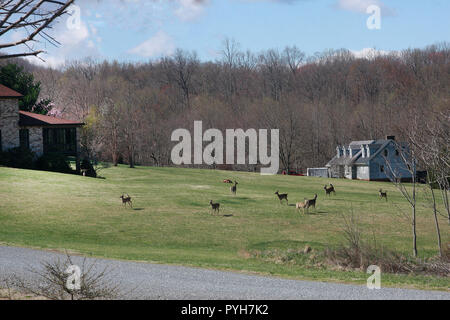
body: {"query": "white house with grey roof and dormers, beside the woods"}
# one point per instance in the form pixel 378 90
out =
pixel 367 160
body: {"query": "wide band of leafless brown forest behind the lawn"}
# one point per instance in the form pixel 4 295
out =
pixel 317 102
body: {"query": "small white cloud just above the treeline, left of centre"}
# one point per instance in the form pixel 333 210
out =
pixel 159 44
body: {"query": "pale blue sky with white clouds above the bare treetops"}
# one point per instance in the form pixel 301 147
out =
pixel 142 30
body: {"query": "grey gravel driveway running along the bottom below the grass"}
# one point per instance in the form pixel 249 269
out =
pixel 156 281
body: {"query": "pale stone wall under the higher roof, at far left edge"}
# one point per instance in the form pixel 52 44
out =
pixel 9 123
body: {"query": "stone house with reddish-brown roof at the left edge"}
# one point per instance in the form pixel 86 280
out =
pixel 39 133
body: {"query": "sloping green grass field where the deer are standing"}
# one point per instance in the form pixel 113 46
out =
pixel 171 221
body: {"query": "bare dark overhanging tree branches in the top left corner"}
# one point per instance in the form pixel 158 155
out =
pixel 34 18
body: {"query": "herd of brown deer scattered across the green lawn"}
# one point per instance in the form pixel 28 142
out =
pixel 304 205
